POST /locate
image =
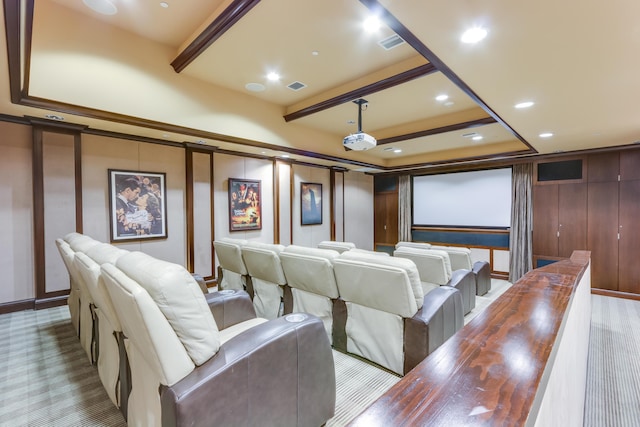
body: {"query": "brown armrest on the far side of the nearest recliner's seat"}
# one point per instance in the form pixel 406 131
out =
pixel 230 307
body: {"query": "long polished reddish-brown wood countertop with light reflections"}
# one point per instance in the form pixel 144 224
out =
pixel 489 372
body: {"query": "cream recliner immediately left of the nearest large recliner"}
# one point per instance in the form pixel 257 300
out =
pixel 110 343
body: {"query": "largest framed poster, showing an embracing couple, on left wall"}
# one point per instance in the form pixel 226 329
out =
pixel 137 205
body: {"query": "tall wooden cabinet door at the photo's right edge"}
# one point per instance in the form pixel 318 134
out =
pixel 629 243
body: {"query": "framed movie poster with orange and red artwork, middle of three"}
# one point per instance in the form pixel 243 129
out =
pixel 245 211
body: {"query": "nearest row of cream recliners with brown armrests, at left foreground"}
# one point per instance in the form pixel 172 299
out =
pixel 170 354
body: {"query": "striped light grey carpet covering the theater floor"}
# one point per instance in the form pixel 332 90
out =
pixel 46 379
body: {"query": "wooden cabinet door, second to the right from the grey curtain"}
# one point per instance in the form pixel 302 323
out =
pixel 572 218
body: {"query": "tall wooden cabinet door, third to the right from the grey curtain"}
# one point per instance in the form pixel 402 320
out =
pixel 602 234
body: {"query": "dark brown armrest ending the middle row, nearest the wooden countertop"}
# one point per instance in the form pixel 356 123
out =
pixel 440 317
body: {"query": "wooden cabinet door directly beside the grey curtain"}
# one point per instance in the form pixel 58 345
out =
pixel 545 220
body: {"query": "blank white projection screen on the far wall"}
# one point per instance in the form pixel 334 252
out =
pixel 466 199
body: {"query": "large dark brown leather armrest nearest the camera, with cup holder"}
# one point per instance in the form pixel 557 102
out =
pixel 277 373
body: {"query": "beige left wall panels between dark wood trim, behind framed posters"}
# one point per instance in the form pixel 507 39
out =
pixel 101 153
